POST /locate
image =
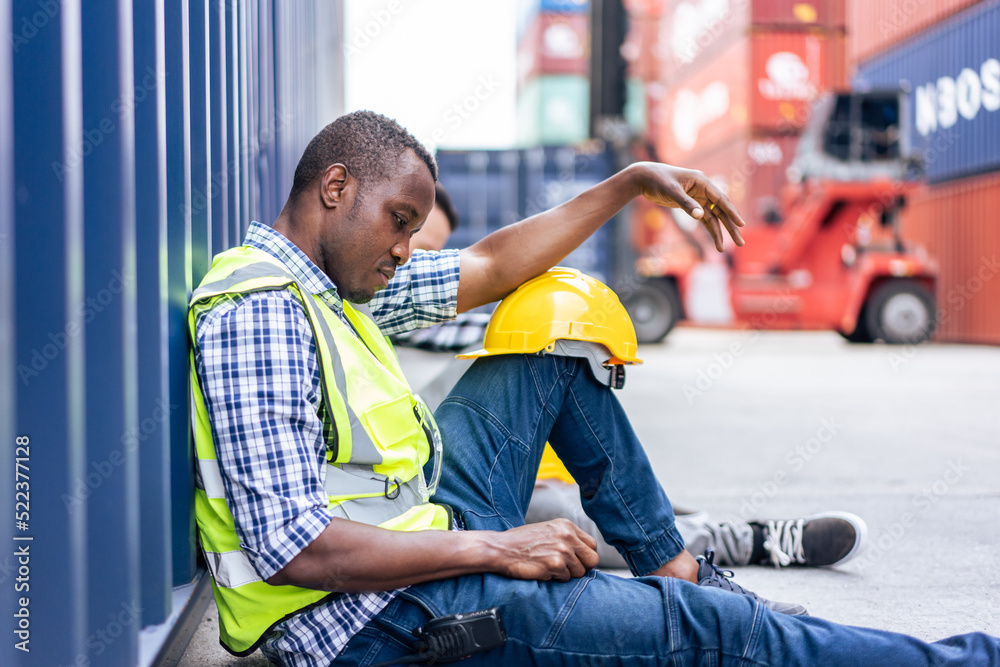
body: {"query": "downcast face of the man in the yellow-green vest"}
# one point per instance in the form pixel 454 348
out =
pixel 363 246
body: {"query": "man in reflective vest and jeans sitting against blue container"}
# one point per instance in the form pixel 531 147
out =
pixel 326 534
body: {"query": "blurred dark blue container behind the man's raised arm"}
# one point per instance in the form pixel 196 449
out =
pixel 492 189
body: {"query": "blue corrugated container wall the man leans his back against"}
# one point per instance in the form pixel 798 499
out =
pixel 136 141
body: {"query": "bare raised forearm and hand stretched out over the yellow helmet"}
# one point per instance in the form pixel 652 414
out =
pixel 499 263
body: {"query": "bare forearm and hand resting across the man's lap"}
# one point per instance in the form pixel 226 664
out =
pixel 353 557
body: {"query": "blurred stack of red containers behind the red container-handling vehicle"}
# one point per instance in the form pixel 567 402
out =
pixel 735 83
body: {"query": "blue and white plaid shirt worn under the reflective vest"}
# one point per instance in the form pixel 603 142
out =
pixel 256 358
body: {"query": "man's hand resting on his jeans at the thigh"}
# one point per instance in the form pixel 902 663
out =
pixel 557 549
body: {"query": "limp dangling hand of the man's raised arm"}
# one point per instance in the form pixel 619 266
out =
pixel 692 191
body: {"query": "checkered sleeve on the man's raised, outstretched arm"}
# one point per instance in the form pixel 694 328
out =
pixel 423 292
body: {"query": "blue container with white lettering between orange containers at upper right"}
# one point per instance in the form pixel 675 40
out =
pixel 952 73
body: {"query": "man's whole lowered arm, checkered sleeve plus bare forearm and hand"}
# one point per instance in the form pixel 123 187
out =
pixel 257 365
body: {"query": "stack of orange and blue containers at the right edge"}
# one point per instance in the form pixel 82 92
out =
pixel 948 56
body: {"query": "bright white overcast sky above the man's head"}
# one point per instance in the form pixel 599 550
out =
pixel 445 69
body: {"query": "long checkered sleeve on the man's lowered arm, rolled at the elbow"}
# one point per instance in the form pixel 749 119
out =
pixel 256 359
